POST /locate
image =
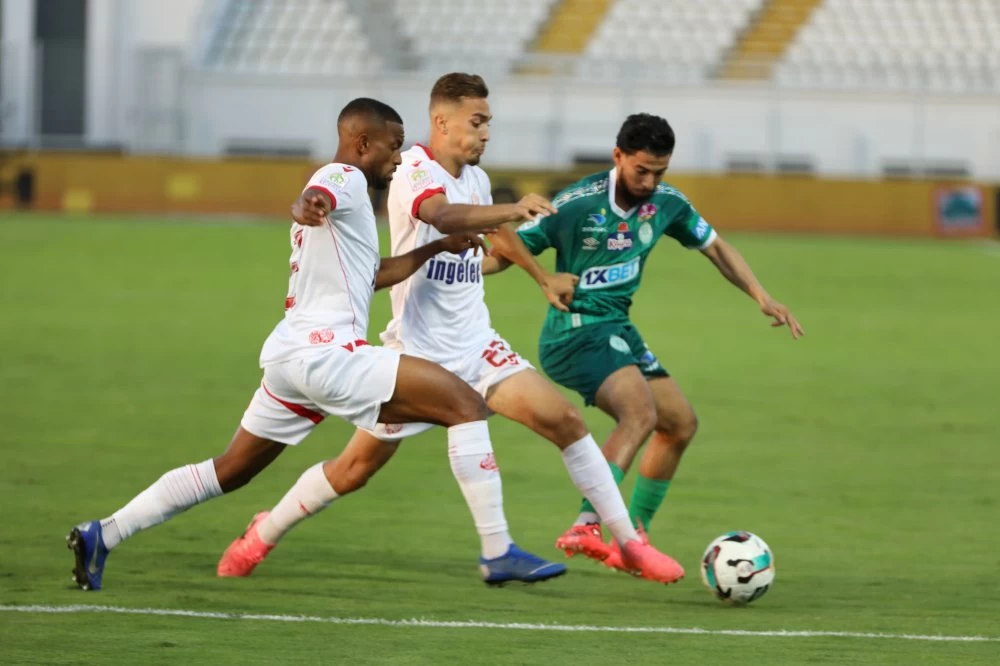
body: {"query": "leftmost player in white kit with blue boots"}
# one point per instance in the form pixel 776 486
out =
pixel 317 361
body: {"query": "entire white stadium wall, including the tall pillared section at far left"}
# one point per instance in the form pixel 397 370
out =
pixel 147 93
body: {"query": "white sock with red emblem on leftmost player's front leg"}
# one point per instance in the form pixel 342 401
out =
pixel 475 469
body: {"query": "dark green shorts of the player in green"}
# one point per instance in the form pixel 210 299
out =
pixel 592 353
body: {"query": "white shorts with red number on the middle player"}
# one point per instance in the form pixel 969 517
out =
pixel 482 371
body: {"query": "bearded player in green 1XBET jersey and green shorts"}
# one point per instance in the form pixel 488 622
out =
pixel 604 230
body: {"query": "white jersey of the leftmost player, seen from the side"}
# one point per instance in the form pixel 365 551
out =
pixel 331 271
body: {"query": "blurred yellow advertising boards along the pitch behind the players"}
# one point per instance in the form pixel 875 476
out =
pixel 101 183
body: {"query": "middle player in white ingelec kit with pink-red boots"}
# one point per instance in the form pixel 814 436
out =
pixel 440 314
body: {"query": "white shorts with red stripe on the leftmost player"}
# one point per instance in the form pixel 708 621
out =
pixel 296 395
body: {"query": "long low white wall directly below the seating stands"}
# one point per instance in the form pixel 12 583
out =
pixel 552 123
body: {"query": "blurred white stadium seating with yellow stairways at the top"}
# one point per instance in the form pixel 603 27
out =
pixel 935 45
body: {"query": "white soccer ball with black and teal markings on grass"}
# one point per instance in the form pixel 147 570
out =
pixel 738 568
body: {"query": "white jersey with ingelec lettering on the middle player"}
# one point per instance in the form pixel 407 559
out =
pixel 439 313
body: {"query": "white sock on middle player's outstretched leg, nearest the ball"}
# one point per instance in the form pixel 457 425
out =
pixel 592 477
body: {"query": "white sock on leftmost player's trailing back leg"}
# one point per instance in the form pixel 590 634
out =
pixel 175 492
